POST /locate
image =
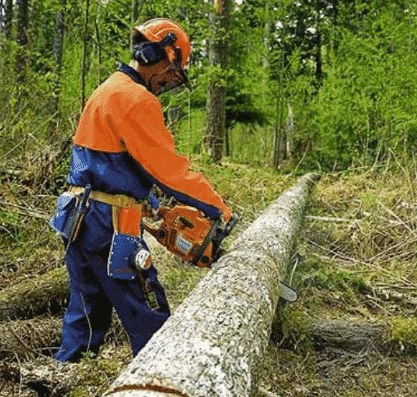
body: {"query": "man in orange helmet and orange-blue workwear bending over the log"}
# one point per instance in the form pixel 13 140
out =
pixel 121 149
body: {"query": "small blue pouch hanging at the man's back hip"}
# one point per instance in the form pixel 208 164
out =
pixel 66 216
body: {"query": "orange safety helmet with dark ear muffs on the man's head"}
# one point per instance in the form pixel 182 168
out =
pixel 169 37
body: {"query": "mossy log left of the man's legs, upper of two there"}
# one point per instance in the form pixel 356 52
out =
pixel 46 293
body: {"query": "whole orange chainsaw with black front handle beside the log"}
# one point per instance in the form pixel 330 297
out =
pixel 188 233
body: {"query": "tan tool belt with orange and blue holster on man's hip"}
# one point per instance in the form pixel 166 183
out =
pixel 129 257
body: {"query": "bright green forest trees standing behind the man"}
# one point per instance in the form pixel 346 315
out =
pixel 322 84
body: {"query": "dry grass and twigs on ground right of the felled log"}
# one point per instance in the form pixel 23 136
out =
pixel 356 261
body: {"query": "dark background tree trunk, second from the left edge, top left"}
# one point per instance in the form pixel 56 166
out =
pixel 22 40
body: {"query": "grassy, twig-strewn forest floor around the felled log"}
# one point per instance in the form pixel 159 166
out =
pixel 354 263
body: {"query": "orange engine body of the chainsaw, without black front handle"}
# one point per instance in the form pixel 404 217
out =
pixel 183 231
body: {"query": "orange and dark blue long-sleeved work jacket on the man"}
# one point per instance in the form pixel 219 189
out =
pixel 122 146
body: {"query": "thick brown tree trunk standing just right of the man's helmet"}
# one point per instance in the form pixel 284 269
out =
pixel 216 98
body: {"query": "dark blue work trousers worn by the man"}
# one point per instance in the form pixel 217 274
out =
pixel 94 293
